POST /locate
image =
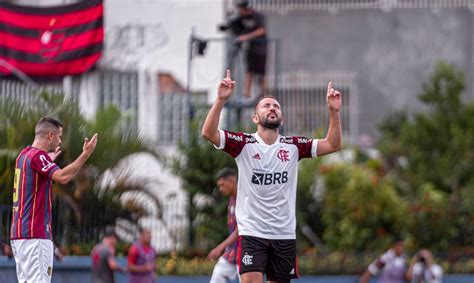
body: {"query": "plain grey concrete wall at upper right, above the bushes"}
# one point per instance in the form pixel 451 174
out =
pixel 392 53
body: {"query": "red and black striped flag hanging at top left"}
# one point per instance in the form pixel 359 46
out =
pixel 51 41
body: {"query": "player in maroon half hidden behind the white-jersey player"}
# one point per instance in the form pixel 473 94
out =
pixel 226 267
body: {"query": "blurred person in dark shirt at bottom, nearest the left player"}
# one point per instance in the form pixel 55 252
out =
pixel 103 259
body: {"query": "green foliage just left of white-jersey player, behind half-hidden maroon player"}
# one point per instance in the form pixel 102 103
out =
pixel 197 165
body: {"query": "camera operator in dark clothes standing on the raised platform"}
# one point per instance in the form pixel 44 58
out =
pixel 253 32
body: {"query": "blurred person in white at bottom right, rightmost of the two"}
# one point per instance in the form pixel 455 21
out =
pixel 423 270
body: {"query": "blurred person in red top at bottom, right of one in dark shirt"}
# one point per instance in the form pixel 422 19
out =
pixel 141 259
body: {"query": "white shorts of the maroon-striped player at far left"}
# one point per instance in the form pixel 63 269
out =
pixel 34 260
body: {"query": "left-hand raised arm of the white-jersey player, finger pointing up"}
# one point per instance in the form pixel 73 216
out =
pixel 210 128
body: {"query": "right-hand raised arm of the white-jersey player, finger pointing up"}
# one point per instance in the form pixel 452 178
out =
pixel 333 139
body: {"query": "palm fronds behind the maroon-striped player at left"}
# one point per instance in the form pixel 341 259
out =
pixel 87 204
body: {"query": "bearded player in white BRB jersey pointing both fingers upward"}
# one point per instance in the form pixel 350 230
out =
pixel 268 168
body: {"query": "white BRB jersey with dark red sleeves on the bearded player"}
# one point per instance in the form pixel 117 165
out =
pixel 266 194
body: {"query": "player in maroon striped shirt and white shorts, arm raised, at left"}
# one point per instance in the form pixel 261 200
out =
pixel 31 232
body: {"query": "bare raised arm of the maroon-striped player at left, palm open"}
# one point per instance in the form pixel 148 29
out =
pixel 63 176
